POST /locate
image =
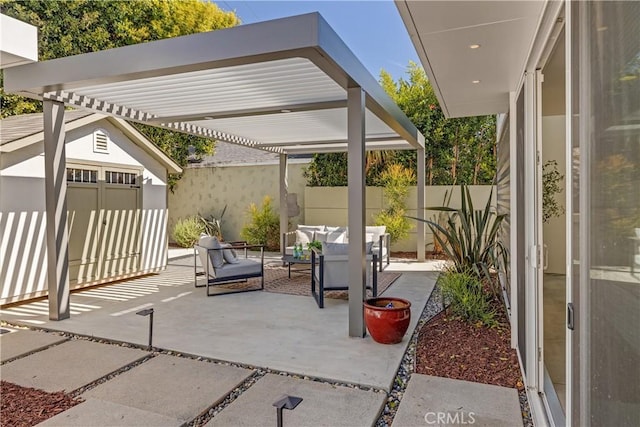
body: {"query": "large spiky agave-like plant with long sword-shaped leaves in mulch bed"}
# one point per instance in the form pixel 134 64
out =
pixel 470 237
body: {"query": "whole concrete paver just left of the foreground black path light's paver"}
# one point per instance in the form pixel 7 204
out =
pixel 175 387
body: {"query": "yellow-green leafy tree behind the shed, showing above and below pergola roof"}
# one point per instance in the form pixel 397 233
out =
pixel 80 26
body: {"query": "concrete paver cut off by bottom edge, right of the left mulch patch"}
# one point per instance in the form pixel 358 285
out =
pixel 94 412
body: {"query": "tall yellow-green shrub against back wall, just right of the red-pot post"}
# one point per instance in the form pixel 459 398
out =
pixel 396 179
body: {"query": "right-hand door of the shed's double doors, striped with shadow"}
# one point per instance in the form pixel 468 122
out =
pixel 120 222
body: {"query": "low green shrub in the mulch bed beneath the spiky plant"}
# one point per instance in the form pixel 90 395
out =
pixel 466 296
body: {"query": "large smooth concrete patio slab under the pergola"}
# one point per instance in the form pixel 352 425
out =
pixel 276 331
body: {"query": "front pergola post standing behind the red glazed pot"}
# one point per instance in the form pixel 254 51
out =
pixel 356 207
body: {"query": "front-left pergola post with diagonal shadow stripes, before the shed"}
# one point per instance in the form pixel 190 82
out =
pixel 56 210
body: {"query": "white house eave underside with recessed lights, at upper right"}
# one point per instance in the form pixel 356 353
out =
pixel 474 52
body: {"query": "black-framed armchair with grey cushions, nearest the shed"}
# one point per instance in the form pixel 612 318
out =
pixel 220 265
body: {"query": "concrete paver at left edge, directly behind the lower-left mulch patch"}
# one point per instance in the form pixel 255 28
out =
pixel 68 366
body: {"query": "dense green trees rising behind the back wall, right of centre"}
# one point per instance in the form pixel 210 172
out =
pixel 457 151
